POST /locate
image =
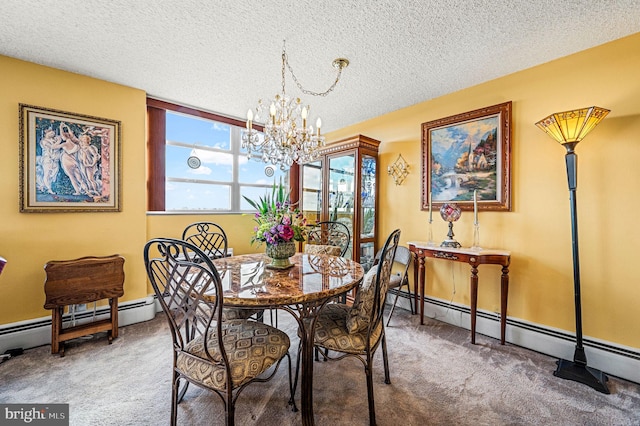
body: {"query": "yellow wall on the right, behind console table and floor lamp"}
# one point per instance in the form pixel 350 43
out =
pixel 537 231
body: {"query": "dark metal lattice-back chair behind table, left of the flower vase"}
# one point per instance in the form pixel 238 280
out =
pixel 211 239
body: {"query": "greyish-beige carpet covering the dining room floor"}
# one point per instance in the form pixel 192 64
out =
pixel 438 378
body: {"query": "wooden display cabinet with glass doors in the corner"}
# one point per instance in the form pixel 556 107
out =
pixel 341 186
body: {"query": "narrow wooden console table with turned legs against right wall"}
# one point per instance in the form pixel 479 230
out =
pixel 422 250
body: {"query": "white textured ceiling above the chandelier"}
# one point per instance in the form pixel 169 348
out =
pixel 223 56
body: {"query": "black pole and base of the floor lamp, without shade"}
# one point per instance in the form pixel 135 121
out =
pixel 577 370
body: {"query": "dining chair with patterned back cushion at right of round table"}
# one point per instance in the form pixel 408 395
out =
pixel 357 331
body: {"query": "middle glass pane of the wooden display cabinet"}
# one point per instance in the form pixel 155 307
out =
pixel 341 192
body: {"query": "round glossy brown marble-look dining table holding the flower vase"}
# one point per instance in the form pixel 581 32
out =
pixel 302 289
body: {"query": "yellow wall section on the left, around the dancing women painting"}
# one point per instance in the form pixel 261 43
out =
pixel 29 240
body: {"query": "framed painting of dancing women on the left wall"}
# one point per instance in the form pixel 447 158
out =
pixel 68 162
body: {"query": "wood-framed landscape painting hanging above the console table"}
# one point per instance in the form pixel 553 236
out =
pixel 465 153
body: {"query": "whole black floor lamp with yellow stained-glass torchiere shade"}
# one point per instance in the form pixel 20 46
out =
pixel 569 128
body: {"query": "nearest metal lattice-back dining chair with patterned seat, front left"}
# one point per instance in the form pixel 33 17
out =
pixel 221 356
